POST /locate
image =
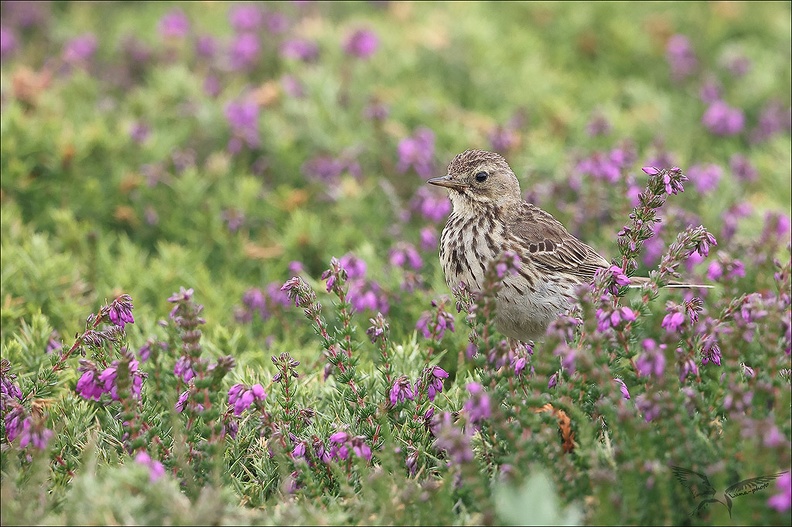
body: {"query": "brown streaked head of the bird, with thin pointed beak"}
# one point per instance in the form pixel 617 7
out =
pixel 477 178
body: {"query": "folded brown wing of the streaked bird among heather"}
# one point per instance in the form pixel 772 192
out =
pixel 547 243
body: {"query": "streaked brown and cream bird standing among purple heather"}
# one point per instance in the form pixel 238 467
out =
pixel 488 218
